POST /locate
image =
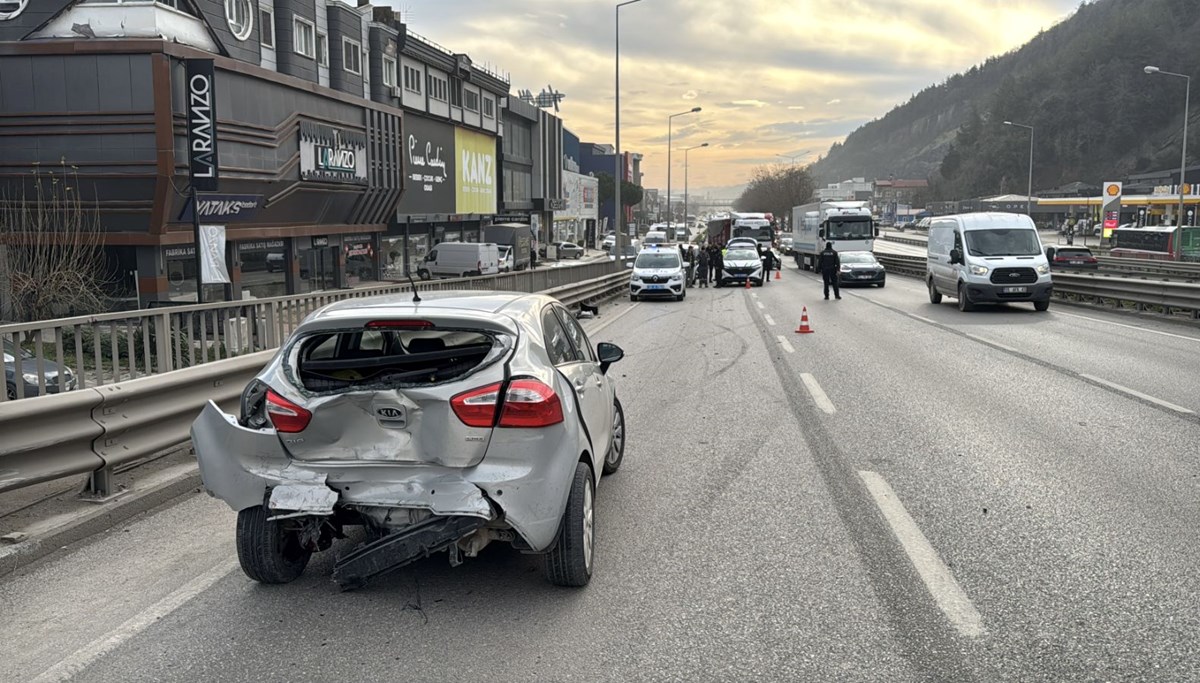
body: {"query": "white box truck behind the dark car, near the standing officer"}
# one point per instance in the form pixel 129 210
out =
pixel 849 225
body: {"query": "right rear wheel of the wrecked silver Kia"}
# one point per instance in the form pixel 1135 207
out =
pixel 569 562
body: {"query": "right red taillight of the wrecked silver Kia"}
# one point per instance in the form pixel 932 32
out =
pixel 526 404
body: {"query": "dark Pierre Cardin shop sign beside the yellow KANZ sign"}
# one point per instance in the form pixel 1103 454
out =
pixel 429 167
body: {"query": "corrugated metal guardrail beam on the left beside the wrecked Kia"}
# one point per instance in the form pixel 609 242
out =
pixel 99 429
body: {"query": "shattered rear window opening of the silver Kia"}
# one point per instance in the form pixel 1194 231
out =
pixel 353 360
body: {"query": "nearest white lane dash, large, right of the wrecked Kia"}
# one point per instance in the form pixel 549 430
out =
pixel 939 582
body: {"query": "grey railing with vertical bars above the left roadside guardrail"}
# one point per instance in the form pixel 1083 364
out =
pixel 116 348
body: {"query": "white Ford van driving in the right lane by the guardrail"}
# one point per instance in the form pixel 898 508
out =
pixel 987 259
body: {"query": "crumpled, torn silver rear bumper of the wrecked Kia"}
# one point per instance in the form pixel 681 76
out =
pixel 243 468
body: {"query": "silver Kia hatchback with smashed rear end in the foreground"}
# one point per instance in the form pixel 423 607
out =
pixel 440 424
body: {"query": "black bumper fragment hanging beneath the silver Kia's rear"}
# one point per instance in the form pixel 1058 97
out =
pixel 401 548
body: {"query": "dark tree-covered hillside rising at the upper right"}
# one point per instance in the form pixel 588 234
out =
pixel 1097 116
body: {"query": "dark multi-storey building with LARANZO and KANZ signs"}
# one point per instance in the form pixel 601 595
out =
pixel 344 143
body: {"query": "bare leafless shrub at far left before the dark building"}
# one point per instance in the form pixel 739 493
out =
pixel 56 262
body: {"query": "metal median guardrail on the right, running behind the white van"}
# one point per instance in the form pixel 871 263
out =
pixel 1144 295
